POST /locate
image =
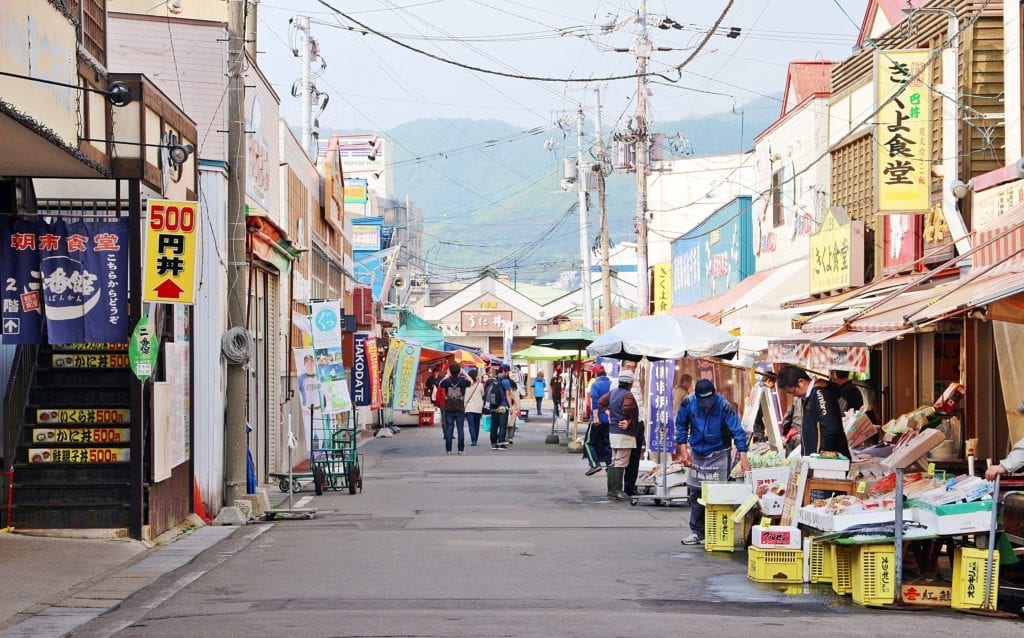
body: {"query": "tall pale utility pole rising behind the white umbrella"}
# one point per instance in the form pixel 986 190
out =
pixel 643 53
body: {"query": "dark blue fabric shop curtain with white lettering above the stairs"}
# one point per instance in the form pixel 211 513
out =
pixel 75 276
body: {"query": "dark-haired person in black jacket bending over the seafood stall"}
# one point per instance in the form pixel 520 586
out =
pixel 822 430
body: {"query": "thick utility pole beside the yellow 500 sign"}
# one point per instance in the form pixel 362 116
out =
pixel 238 266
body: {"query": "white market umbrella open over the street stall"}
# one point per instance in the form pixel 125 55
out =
pixel 664 336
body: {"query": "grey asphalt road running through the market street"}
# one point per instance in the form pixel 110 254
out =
pixel 516 543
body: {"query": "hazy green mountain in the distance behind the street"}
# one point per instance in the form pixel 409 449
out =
pixel 492 198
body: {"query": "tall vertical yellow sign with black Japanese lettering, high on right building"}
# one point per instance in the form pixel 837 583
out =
pixel 904 133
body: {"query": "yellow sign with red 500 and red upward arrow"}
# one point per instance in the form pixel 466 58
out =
pixel 169 265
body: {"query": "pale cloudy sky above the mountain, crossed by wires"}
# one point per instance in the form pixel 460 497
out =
pixel 375 84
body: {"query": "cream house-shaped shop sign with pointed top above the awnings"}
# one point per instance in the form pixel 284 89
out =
pixel 837 253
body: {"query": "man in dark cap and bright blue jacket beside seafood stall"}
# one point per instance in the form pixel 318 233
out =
pixel 704 424
